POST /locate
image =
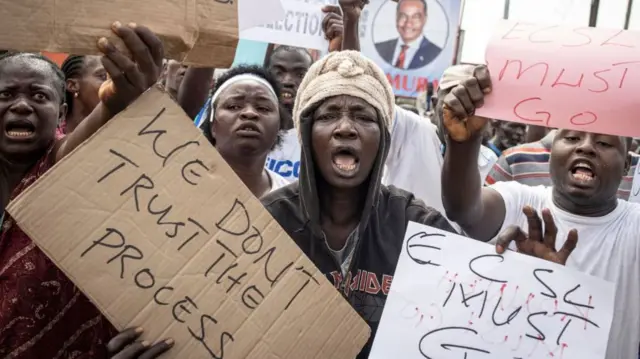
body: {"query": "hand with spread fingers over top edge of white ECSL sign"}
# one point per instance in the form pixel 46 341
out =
pixel 536 244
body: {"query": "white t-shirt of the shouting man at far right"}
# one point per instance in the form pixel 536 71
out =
pixel 608 248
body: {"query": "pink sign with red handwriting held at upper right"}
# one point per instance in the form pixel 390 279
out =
pixel 579 78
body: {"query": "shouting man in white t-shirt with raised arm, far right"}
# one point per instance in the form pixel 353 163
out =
pixel 586 170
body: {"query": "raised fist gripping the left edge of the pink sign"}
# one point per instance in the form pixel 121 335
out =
pixel 461 101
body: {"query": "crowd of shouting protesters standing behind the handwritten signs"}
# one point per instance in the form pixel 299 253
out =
pixel 366 167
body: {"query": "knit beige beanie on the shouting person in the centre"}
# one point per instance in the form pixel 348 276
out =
pixel 345 73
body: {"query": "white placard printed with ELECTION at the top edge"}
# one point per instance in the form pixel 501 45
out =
pixel 301 26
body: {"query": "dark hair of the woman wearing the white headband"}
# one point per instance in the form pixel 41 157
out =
pixel 240 70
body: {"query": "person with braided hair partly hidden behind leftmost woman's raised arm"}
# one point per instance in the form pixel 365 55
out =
pixel 83 76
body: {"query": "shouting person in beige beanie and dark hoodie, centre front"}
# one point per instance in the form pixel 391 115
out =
pixel 338 212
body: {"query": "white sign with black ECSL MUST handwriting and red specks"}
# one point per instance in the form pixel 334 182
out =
pixel 452 296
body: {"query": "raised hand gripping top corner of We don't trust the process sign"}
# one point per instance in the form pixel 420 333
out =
pixel 129 78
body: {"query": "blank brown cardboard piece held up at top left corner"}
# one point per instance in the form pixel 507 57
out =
pixel 209 27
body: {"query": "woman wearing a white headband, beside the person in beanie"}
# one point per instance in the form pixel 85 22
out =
pixel 244 123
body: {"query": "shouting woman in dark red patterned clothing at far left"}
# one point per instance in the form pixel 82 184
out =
pixel 42 314
